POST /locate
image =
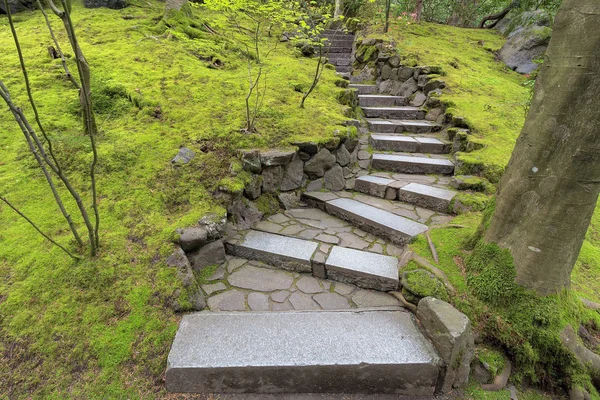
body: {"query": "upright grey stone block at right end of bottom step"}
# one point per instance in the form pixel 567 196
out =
pixel 450 332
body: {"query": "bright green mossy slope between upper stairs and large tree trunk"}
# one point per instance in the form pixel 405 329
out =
pixel 490 96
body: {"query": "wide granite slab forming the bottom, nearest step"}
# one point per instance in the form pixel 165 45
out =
pixel 368 352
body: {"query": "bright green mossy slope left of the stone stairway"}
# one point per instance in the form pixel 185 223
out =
pixel 101 328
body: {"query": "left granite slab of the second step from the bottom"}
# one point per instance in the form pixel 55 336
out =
pixel 280 251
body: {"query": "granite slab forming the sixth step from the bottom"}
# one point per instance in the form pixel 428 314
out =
pixel 409 144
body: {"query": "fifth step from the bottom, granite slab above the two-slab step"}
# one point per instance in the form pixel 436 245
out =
pixel 412 165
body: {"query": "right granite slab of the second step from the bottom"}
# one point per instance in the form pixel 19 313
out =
pixel 363 269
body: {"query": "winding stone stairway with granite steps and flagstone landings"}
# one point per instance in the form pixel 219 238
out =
pixel 334 331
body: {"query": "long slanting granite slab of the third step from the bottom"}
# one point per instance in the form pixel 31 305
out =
pixel 394 228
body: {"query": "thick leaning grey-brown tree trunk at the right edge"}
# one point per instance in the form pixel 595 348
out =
pixel 549 191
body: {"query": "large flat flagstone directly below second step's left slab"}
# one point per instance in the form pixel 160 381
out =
pixel 260 279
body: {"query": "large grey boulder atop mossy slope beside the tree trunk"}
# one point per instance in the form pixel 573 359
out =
pixel 523 47
